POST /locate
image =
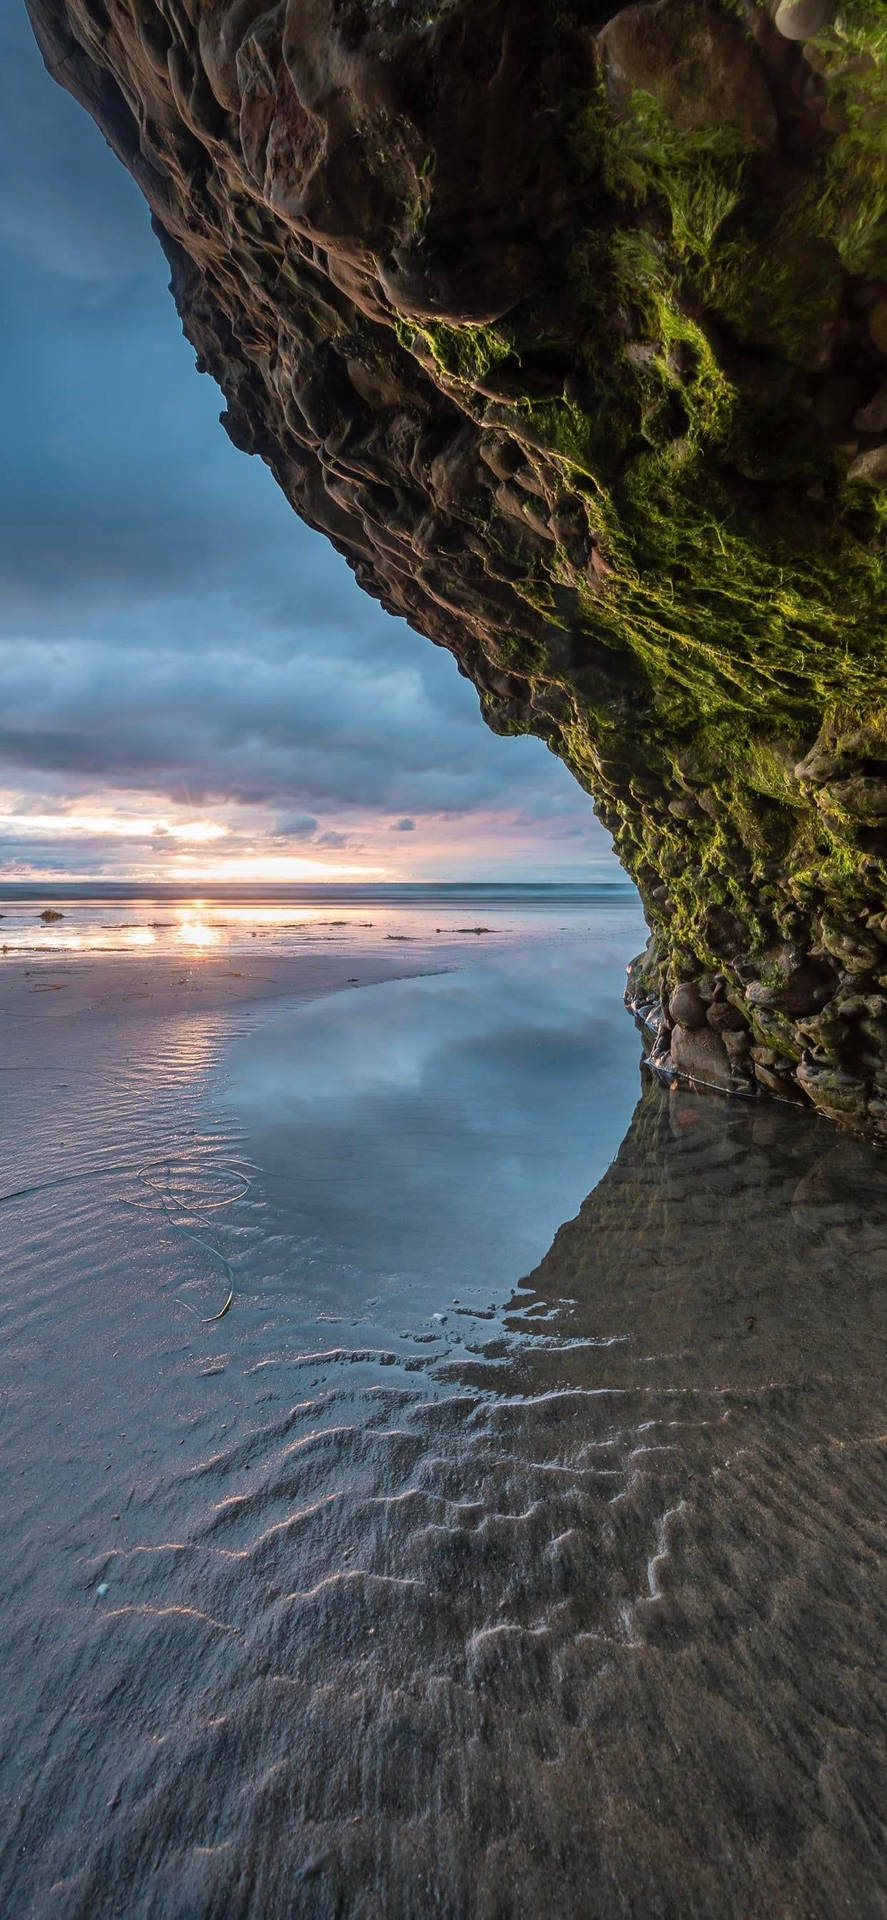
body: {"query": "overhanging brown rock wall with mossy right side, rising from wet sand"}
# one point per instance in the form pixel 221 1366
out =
pixel 569 329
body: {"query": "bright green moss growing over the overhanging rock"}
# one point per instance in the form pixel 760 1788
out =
pixel 744 613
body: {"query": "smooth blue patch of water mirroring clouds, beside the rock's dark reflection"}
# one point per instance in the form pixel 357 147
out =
pixel 433 1134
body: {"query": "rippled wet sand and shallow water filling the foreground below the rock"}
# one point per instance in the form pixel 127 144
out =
pixel 471 1564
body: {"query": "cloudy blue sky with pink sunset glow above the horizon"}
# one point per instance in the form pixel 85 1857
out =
pixel 191 683
